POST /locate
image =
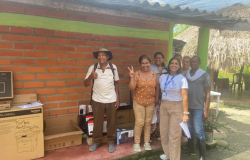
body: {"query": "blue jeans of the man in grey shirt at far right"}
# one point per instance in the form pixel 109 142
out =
pixel 195 123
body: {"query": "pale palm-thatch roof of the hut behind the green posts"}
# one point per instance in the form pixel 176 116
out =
pixel 226 48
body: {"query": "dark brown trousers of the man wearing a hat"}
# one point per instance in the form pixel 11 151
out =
pixel 98 112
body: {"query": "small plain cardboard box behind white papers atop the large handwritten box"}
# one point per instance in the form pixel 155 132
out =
pixel 24 98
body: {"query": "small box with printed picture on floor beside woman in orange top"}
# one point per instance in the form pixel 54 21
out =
pixel 125 135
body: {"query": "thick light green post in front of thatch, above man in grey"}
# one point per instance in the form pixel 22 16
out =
pixel 202 50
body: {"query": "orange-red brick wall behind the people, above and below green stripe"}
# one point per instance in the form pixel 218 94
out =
pixel 53 63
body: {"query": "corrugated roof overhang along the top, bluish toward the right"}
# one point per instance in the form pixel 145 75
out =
pixel 145 10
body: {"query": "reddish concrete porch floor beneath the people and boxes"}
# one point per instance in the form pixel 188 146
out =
pixel 81 152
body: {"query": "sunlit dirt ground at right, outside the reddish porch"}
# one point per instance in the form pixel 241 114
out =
pixel 237 134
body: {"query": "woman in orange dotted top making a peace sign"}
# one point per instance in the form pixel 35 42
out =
pixel 145 85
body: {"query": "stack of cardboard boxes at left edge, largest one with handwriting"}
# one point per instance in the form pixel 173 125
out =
pixel 21 130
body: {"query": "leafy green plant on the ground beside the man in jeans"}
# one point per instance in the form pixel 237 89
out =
pixel 212 122
